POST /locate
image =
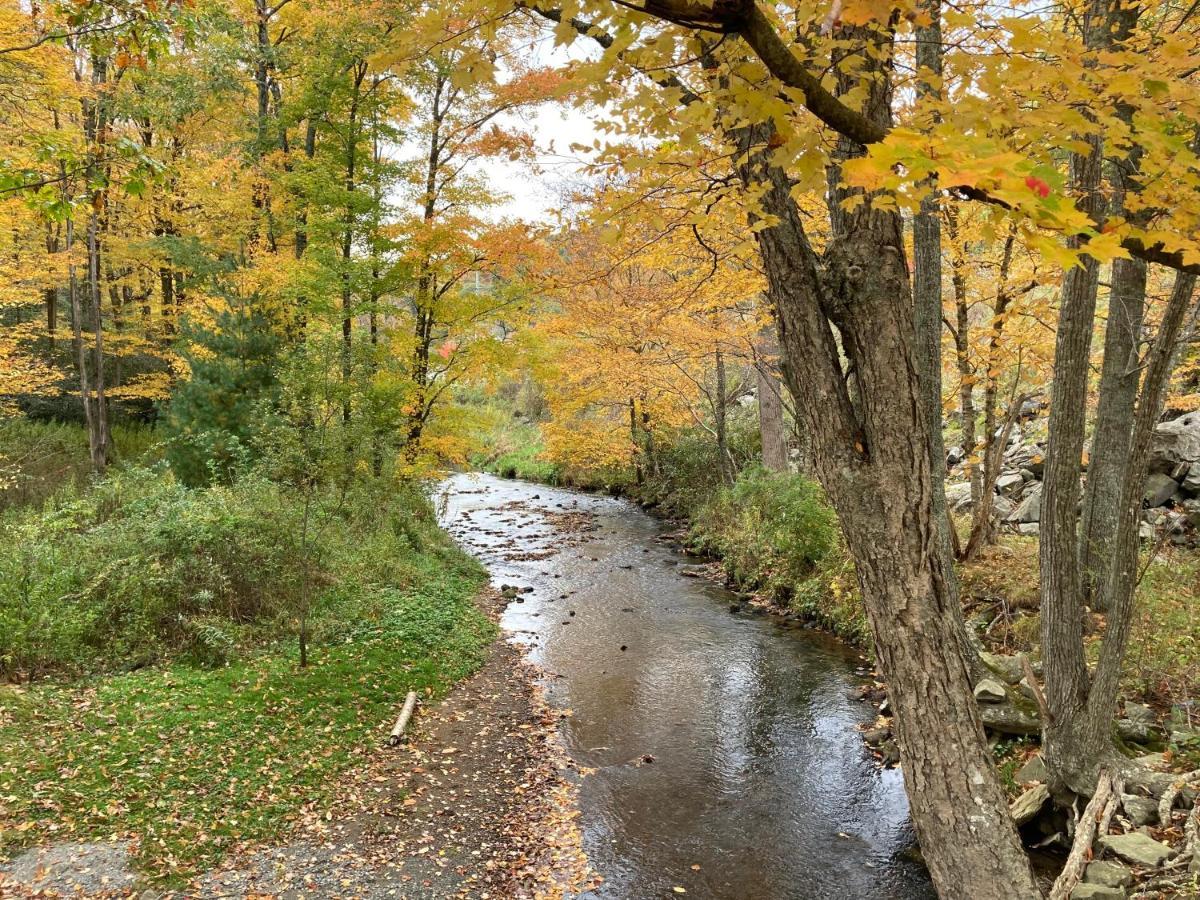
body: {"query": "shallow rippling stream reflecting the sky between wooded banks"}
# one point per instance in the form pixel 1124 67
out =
pixel 725 749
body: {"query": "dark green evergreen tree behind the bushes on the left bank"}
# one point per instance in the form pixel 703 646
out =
pixel 217 413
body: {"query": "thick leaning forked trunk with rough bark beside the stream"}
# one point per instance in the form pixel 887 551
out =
pixel 875 467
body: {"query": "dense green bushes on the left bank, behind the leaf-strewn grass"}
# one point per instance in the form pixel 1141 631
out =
pixel 142 569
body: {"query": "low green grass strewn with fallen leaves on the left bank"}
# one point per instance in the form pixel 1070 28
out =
pixel 193 761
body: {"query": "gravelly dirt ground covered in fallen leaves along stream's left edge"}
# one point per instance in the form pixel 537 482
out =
pixel 481 803
